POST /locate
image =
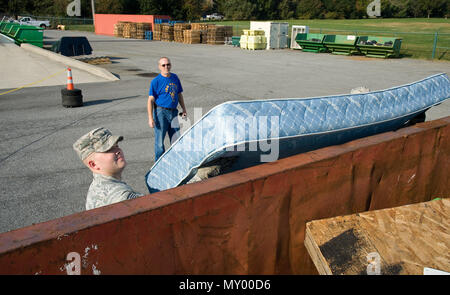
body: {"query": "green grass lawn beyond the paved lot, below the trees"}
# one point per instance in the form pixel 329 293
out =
pixel 418 34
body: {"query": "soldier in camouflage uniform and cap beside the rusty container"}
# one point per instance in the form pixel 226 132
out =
pixel 100 152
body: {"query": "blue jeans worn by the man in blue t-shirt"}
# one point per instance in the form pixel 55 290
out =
pixel 166 121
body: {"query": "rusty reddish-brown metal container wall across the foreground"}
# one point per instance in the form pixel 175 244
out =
pixel 248 222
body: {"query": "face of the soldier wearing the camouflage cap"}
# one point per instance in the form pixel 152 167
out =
pixel 111 162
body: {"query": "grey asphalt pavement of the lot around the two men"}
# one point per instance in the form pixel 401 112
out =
pixel 41 177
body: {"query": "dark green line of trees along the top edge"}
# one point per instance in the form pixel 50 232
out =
pixel 235 9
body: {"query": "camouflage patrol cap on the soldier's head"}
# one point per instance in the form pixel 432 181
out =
pixel 98 140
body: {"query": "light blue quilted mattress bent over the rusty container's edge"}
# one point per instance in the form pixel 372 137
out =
pixel 258 131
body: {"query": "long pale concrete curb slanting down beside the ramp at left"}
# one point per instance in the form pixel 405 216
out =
pixel 70 62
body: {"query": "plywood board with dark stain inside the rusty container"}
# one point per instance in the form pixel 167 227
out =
pixel 400 240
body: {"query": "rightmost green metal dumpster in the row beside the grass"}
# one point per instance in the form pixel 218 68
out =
pixel 383 47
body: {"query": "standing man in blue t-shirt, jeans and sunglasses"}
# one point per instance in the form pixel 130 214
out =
pixel 164 94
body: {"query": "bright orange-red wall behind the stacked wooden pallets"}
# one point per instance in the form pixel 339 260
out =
pixel 104 23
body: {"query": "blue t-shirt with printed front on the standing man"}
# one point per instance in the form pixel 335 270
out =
pixel 165 90
